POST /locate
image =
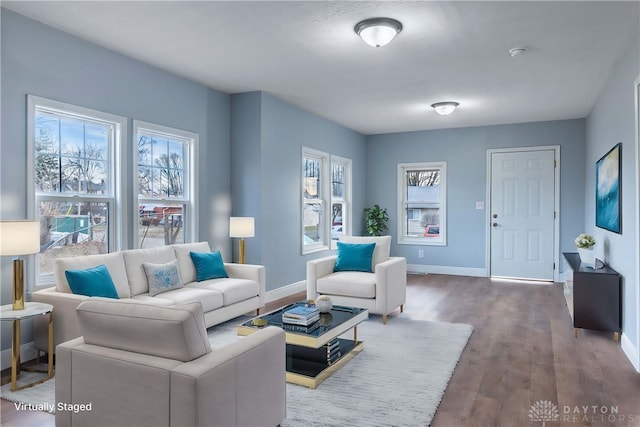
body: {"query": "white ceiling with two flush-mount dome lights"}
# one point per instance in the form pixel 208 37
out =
pixel 306 52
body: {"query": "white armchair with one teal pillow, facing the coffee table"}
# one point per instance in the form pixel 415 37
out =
pixel 380 292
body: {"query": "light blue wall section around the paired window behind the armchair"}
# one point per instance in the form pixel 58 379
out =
pixel 284 130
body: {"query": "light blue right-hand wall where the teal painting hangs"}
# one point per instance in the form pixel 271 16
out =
pixel 613 120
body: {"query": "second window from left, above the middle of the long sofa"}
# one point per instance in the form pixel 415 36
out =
pixel 166 213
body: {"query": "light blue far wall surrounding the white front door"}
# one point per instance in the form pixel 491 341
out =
pixel 465 151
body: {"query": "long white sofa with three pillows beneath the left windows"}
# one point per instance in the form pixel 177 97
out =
pixel 221 299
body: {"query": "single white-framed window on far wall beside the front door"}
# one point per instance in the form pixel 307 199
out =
pixel 422 203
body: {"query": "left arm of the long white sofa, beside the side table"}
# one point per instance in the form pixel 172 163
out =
pixel 65 322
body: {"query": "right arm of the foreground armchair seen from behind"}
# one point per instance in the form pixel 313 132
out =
pixel 242 384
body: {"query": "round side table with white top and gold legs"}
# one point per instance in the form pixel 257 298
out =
pixel 31 309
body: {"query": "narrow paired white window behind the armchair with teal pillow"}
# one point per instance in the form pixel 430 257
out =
pixel 326 200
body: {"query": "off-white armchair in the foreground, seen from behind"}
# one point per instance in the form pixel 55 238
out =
pixel 153 366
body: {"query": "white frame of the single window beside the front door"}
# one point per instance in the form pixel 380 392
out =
pixel 403 238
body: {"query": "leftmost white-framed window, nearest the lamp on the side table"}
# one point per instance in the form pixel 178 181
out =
pixel 74 156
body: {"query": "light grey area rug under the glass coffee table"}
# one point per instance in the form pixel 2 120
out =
pixel 397 380
